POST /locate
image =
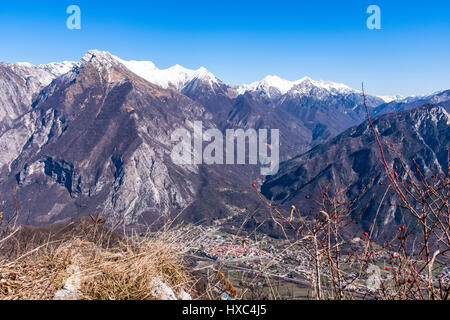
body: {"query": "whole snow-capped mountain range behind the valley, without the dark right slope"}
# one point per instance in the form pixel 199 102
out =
pixel 94 136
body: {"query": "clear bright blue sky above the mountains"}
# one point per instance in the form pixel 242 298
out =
pixel 243 41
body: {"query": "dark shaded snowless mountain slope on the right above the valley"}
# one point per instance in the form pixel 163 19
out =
pixel 350 162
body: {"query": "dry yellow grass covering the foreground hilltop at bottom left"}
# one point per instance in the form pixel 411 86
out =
pixel 125 271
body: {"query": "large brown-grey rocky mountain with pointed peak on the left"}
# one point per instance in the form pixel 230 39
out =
pixel 98 138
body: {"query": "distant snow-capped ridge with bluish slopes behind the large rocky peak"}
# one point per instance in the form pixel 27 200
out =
pixel 302 110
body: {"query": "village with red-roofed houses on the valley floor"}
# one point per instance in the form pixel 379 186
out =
pixel 268 257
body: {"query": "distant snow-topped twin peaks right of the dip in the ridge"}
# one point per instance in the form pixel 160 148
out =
pixel 310 111
